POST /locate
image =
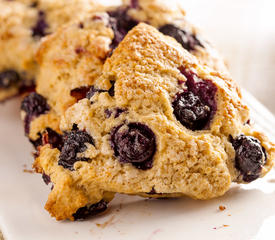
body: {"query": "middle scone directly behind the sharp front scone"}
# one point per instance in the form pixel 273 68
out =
pixel 72 58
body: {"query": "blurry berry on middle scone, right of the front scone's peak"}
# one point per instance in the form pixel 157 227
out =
pixel 188 40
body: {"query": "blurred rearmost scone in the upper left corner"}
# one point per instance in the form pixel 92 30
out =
pixel 23 24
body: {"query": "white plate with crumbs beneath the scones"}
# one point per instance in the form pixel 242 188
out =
pixel 249 213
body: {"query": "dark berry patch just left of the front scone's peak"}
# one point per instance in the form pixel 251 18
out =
pixel 121 23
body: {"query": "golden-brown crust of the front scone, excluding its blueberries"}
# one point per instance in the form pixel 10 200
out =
pixel 146 70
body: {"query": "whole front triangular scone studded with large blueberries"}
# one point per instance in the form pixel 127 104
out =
pixel 155 123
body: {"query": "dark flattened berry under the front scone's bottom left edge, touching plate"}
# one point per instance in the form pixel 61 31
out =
pixel 92 210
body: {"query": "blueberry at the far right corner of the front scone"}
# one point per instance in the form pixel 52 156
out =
pixel 250 157
